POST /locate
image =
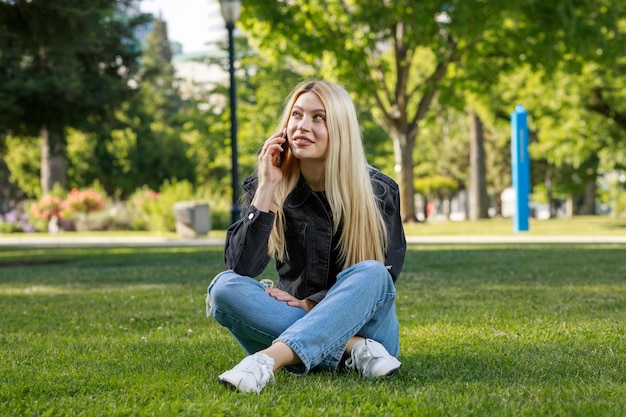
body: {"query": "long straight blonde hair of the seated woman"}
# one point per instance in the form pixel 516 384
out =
pixel 347 182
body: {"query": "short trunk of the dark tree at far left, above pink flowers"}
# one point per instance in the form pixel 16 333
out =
pixel 53 159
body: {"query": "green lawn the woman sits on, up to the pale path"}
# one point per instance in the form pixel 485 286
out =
pixel 533 329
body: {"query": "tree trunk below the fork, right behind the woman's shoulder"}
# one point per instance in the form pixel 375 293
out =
pixel 403 154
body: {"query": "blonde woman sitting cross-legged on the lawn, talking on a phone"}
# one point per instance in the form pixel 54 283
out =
pixel 332 224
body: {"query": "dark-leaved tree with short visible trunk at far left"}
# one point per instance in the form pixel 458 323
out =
pixel 63 63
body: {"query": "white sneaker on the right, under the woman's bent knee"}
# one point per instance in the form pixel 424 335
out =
pixel 372 360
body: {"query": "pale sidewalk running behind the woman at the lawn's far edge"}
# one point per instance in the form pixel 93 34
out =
pixel 69 240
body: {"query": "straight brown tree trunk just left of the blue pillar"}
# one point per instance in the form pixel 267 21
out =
pixel 479 203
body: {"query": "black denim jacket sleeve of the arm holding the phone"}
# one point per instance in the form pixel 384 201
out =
pixel 245 250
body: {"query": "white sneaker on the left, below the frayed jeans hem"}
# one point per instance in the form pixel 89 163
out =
pixel 251 374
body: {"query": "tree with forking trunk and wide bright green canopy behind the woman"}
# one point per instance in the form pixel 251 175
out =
pixel 396 56
